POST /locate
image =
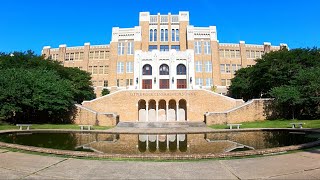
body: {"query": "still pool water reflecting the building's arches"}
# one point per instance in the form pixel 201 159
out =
pixel 160 143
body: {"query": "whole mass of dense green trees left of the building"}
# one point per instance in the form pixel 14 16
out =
pixel 34 89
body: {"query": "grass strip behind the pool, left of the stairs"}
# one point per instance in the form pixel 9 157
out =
pixel 50 126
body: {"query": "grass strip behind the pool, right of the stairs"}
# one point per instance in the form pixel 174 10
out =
pixel 273 124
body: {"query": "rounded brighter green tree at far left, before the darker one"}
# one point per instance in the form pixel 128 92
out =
pixel 35 95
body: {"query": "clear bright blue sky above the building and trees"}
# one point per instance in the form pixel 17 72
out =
pixel 33 24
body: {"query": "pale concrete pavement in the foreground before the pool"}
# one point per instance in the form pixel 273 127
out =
pixel 302 165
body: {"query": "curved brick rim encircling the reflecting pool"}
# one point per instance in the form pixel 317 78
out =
pixel 165 156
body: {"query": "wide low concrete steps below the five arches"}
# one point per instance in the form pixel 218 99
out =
pixel 160 124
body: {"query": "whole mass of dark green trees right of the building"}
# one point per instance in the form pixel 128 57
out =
pixel 291 77
